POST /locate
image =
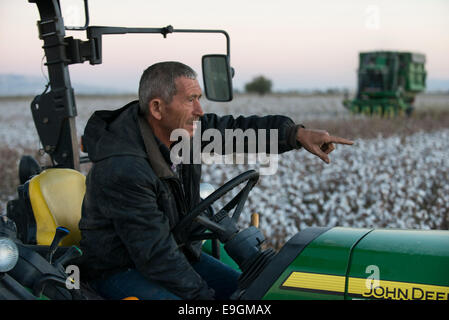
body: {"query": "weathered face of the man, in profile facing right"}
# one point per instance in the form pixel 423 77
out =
pixel 185 107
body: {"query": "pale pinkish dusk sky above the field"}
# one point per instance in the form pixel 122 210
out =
pixel 297 44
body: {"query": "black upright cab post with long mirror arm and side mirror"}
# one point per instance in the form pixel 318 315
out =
pixel 54 111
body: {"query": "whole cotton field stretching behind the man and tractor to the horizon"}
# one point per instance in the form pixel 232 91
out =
pixel 394 180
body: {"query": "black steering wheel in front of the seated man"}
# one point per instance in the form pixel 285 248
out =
pixel 221 225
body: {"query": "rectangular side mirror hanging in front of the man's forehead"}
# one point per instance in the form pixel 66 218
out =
pixel 217 77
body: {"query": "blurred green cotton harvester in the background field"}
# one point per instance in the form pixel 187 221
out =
pixel 388 83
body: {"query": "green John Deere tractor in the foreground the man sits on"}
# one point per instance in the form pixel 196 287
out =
pixel 39 234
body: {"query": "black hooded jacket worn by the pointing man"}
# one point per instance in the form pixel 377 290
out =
pixel 133 199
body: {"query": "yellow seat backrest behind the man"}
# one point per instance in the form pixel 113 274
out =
pixel 56 196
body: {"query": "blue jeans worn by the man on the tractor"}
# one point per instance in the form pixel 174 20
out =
pixel 131 283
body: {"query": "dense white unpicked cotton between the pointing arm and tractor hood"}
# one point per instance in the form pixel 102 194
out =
pixel 391 183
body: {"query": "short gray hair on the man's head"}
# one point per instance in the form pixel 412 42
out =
pixel 158 81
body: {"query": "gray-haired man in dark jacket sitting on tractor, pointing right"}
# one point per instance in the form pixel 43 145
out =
pixel 136 195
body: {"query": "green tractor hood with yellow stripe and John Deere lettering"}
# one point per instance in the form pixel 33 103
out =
pixel 350 263
